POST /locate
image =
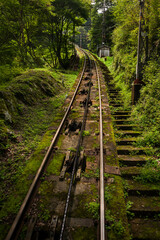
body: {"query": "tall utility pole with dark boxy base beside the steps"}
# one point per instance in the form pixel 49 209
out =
pixel 137 84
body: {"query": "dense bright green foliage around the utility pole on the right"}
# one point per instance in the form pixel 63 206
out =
pixel 125 40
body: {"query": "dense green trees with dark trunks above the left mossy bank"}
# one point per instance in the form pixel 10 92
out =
pixel 36 32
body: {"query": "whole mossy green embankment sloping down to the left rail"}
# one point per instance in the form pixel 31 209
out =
pixel 31 109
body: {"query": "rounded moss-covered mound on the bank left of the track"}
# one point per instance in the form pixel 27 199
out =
pixel 26 89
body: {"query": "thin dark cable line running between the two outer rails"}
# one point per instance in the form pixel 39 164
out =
pixel 75 160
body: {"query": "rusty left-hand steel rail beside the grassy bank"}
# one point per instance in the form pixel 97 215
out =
pixel 17 222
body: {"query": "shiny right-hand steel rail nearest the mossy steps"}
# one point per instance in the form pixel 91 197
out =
pixel 102 208
